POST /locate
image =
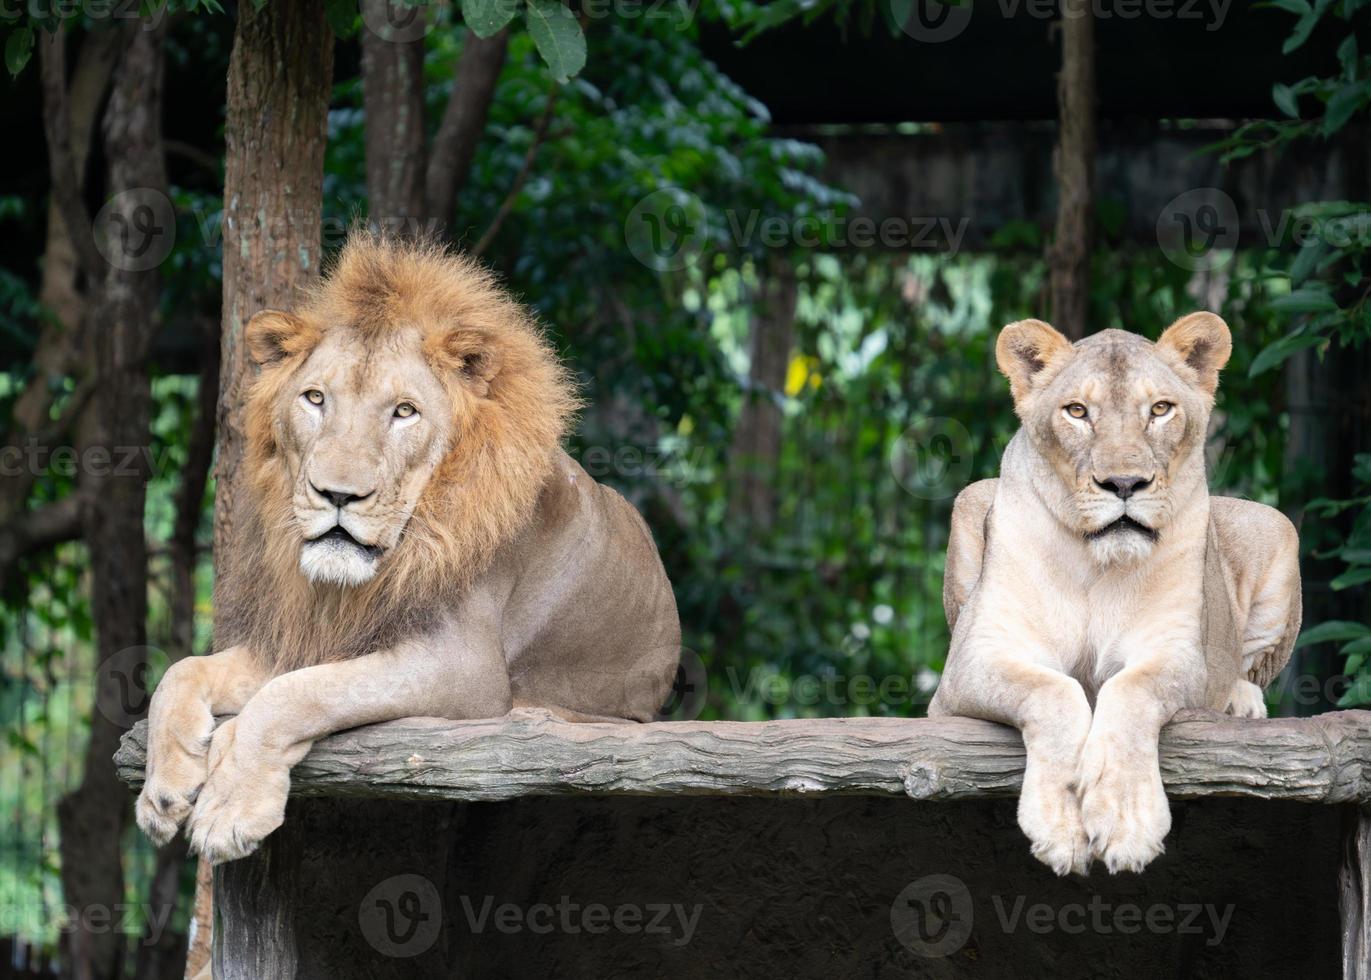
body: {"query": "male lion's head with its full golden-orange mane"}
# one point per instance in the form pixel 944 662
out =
pixel 402 424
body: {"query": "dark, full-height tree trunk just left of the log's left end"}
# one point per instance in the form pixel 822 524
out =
pixel 94 816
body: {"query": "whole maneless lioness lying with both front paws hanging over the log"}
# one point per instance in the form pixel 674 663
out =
pixel 1099 574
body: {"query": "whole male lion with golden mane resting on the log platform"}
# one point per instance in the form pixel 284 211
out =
pixel 411 541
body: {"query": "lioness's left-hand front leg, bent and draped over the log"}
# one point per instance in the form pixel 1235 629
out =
pixel 1054 715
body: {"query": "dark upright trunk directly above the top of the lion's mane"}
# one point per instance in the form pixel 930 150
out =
pixel 393 101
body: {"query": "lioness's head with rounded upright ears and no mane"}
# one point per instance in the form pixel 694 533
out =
pixel 1121 423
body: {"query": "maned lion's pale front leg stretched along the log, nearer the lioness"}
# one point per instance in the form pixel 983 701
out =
pixel 252 756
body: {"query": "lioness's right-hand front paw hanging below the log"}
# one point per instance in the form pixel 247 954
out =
pixel 1124 804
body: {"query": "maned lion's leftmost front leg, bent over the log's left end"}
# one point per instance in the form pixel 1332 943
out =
pixel 180 724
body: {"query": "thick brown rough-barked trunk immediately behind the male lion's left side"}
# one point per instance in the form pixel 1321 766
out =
pixel 278 114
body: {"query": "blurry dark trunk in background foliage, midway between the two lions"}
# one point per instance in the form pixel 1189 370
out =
pixel 756 450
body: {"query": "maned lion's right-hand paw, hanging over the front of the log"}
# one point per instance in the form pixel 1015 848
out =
pixel 242 803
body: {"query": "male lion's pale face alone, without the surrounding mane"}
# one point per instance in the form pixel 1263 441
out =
pixel 363 426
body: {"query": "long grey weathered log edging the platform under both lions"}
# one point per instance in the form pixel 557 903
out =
pixel 1318 760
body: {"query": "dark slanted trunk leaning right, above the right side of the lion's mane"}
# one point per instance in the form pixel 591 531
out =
pixel 464 121
